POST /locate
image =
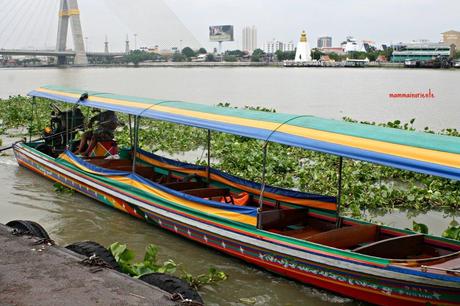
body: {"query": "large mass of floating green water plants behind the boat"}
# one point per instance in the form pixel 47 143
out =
pixel 365 185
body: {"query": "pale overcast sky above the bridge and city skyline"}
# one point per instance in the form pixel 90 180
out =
pixel 185 22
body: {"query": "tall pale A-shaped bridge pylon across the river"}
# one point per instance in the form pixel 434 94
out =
pixel 69 12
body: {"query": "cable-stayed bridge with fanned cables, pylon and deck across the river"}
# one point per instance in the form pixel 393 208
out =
pixel 22 21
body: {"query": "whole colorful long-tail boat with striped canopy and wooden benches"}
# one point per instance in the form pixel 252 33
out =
pixel 295 234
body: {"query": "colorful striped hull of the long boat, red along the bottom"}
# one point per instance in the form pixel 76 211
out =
pixel 358 276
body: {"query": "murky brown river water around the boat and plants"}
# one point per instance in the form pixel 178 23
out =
pixel 332 93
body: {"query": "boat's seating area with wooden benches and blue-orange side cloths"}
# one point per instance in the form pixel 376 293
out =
pixel 284 212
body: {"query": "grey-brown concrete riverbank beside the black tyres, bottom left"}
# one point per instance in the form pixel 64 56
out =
pixel 37 273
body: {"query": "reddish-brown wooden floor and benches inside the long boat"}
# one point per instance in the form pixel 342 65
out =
pixel 297 223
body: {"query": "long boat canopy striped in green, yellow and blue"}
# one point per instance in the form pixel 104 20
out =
pixel 421 152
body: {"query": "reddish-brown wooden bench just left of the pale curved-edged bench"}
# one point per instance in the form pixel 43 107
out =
pixel 346 237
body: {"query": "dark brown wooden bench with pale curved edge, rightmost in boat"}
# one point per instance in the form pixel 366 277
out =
pixel 397 247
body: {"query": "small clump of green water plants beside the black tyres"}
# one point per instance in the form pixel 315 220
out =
pixel 125 258
